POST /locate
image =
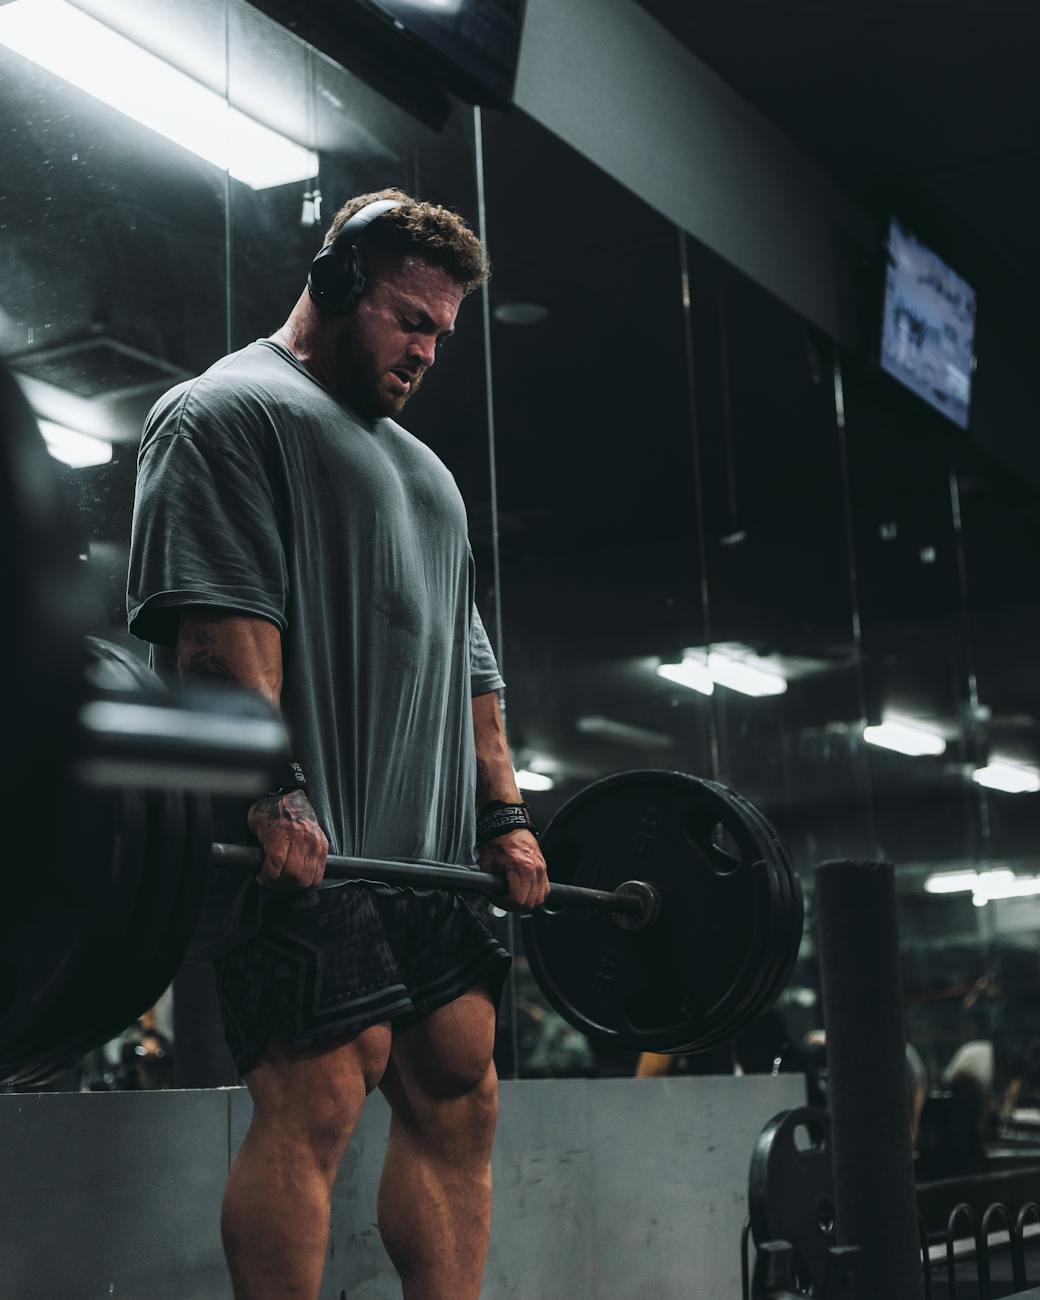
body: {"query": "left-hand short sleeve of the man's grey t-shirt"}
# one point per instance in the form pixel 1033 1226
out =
pixel 206 525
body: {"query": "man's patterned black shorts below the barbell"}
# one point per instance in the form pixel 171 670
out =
pixel 332 963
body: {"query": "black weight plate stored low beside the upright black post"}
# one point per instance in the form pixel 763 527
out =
pixel 791 1195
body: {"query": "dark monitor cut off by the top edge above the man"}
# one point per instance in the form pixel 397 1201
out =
pixel 480 38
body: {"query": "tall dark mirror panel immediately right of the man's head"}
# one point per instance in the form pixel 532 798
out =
pixel 596 492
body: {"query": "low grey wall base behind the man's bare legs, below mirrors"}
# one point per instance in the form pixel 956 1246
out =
pixel 614 1189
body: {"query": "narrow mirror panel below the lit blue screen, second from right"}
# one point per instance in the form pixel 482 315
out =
pixel 917 671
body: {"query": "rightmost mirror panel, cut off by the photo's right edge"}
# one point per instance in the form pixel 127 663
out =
pixel 998 513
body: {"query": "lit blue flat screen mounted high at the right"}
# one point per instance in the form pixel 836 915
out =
pixel 929 328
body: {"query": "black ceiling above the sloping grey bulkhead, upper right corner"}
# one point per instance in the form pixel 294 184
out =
pixel 931 105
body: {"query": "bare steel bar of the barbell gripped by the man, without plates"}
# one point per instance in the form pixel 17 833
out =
pixel 634 904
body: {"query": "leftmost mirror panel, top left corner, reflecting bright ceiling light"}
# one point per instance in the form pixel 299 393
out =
pixel 114 254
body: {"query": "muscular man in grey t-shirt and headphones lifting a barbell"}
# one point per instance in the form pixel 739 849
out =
pixel 292 538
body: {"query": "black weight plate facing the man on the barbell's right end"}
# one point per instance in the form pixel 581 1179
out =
pixel 679 981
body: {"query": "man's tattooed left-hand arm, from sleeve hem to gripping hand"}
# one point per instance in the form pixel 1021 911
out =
pixel 226 648
